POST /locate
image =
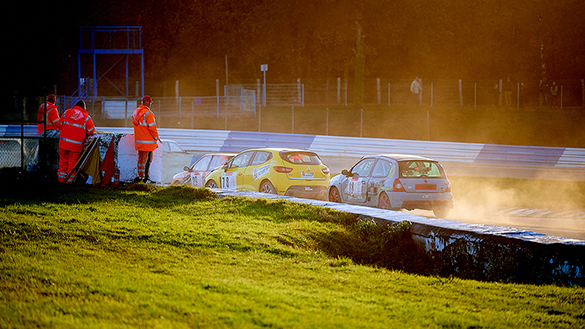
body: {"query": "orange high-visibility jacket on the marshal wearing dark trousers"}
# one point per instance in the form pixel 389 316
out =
pixel 145 132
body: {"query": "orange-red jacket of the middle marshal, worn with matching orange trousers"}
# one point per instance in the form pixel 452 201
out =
pixel 76 124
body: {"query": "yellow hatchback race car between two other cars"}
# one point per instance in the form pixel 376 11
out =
pixel 291 172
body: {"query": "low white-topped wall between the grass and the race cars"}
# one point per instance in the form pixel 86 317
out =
pixel 471 251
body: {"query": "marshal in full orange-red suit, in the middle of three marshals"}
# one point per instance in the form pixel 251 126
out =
pixel 76 125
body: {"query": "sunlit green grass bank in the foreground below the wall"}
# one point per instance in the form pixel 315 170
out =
pixel 152 257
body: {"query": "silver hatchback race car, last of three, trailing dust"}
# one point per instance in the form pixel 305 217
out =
pixel 394 181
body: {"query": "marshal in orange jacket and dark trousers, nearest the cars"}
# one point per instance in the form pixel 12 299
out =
pixel 145 137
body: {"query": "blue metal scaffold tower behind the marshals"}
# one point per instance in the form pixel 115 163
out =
pixel 104 41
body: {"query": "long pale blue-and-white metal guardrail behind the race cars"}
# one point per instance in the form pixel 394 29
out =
pixel 336 146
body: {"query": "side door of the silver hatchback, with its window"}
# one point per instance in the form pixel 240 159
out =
pixel 354 186
